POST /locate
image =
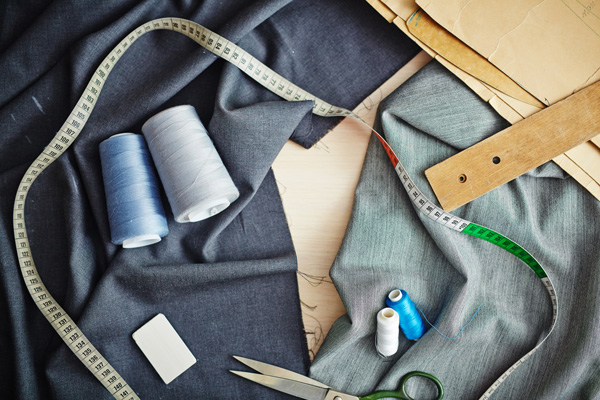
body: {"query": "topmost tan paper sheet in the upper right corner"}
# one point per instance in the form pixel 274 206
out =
pixel 549 47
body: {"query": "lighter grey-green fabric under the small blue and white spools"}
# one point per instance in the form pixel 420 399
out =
pixel 389 245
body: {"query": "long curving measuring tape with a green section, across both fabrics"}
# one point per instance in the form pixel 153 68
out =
pixel 218 45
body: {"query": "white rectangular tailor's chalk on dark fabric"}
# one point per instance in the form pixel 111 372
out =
pixel 164 348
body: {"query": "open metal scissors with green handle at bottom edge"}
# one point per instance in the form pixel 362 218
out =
pixel 306 388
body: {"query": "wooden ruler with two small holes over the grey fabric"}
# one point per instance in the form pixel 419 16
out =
pixel 517 149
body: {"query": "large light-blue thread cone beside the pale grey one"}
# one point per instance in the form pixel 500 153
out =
pixel 135 212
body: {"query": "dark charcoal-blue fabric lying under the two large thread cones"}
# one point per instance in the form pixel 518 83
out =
pixel 228 284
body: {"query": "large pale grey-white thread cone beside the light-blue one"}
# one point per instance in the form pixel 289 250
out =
pixel 196 182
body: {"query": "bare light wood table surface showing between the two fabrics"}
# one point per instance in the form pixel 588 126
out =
pixel 317 189
